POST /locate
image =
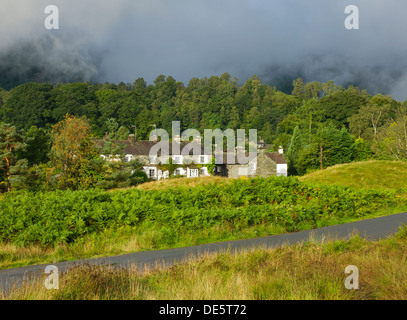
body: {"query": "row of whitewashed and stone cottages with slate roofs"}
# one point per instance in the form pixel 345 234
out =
pixel 185 163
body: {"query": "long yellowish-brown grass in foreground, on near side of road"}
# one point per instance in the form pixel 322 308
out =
pixel 309 270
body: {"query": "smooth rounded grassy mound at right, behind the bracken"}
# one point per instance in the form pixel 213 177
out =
pixel 374 174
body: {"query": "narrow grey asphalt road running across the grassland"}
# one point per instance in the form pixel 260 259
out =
pixel 371 229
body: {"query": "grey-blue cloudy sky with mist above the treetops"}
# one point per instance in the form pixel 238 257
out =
pixel 277 40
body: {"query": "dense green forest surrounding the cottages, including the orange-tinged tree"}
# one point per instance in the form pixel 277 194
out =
pixel 318 124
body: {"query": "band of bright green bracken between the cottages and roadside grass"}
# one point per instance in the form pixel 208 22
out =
pixel 66 216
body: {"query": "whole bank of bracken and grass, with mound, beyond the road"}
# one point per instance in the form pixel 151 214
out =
pixel 214 209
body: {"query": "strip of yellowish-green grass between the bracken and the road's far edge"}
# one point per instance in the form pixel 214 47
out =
pixel 121 241
